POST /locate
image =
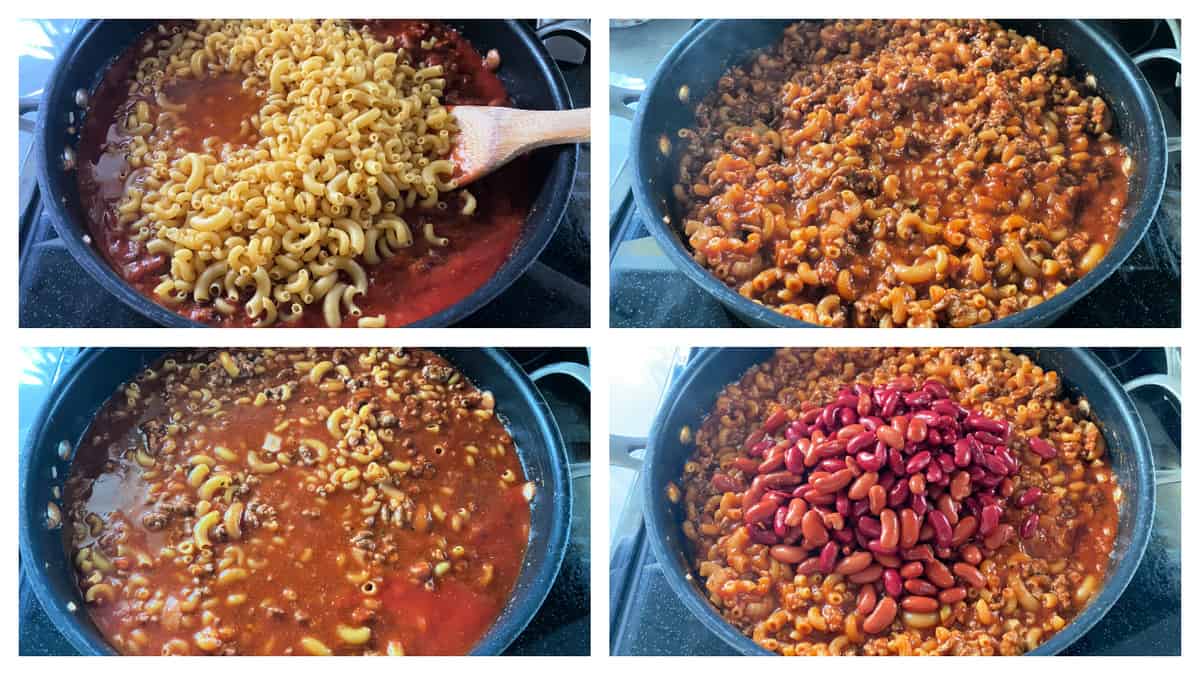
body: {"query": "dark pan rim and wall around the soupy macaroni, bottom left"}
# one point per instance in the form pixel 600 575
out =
pixel 47 569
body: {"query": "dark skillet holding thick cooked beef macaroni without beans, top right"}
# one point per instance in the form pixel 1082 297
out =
pixel 704 55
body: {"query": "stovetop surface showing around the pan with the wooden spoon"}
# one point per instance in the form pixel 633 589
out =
pixel 57 292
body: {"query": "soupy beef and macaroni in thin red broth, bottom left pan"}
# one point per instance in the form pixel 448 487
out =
pixel 297 503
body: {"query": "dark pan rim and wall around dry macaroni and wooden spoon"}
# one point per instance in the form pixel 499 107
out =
pixel 82 65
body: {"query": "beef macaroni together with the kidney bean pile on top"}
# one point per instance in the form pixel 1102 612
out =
pixel 899 503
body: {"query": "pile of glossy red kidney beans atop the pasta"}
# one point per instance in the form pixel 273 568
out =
pixel 898 488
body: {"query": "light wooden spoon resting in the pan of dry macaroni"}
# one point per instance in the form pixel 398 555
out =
pixel 490 138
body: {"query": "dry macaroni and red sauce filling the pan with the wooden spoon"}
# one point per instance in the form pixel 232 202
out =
pixel 297 172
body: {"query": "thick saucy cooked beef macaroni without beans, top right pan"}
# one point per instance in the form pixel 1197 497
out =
pixel 902 174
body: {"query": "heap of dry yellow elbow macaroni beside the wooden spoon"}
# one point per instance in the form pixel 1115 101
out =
pixel 351 133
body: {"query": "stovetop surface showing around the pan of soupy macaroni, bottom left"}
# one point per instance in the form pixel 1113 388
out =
pixel 562 628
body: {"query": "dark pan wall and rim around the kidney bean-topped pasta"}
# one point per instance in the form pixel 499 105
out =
pixel 694 393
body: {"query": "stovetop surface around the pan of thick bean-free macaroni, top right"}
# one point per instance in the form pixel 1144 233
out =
pixel 649 291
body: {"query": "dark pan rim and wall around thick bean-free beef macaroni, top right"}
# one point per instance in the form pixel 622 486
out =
pixel 651 199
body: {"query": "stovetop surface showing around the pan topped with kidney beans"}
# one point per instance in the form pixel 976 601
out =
pixel 647 619
